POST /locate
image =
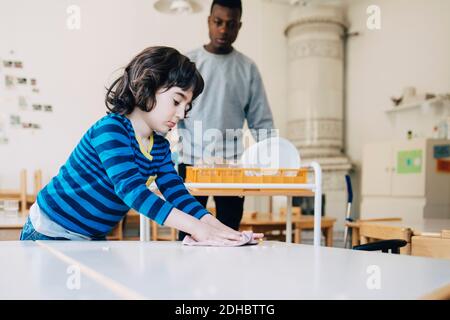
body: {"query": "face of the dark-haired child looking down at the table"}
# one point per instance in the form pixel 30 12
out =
pixel 170 108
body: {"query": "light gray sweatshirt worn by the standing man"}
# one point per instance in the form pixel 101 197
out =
pixel 234 92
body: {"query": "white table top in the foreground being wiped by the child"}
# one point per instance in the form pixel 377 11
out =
pixel 168 270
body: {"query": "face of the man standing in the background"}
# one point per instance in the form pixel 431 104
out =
pixel 224 24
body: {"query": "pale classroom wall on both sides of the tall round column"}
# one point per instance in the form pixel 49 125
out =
pixel 73 66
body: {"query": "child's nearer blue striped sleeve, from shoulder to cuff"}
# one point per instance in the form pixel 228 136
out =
pixel 112 143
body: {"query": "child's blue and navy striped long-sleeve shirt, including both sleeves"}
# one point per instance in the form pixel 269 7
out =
pixel 107 174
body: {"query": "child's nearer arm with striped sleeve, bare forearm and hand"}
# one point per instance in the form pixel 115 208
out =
pixel 113 146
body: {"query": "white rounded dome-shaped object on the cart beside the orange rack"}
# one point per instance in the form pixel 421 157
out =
pixel 273 153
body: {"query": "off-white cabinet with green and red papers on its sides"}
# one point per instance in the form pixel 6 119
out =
pixel 402 178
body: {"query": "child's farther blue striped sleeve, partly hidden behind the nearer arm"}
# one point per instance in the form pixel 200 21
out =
pixel 172 187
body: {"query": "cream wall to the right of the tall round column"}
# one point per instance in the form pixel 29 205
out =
pixel 412 48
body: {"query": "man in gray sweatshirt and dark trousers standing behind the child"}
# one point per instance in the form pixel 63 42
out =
pixel 234 92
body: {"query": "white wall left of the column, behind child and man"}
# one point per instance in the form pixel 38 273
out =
pixel 72 67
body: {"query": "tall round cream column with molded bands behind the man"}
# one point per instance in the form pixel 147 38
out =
pixel 315 49
